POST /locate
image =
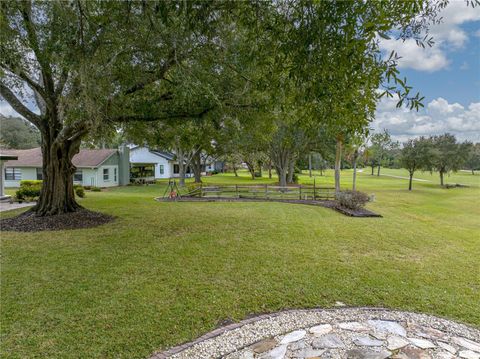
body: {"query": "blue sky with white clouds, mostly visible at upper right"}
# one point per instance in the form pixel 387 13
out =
pixel 447 74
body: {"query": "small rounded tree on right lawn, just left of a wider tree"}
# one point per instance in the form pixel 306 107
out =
pixel 415 155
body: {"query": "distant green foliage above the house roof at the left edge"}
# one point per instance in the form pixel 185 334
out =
pixel 17 133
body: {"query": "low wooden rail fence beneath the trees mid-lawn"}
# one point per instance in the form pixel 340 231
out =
pixel 264 192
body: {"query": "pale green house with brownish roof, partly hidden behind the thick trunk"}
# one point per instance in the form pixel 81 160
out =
pixel 99 168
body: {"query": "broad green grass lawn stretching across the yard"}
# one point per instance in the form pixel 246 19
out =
pixel 165 273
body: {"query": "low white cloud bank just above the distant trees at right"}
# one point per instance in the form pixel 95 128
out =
pixel 438 117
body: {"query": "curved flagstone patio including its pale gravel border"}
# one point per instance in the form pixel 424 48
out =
pixel 370 333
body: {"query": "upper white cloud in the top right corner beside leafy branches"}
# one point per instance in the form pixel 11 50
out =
pixel 448 36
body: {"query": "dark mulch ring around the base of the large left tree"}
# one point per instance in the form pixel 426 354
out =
pixel 29 222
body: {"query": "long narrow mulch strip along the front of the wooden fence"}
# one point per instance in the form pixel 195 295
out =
pixel 362 212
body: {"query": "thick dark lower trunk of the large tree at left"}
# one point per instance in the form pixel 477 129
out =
pixel 57 195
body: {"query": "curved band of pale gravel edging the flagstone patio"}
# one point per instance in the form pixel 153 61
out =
pixel 208 345
